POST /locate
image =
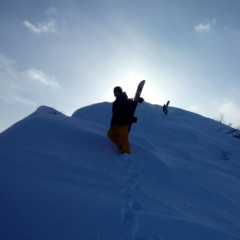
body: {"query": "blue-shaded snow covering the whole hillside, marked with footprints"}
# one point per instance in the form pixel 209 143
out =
pixel 61 177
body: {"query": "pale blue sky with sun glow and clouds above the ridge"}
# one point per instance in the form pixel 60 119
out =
pixel 68 54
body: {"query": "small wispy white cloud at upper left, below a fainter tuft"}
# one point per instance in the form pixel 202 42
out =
pixel 45 27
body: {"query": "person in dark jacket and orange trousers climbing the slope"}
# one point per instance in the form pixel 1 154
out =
pixel 122 118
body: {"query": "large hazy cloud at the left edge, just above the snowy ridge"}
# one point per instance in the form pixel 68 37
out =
pixel 22 87
